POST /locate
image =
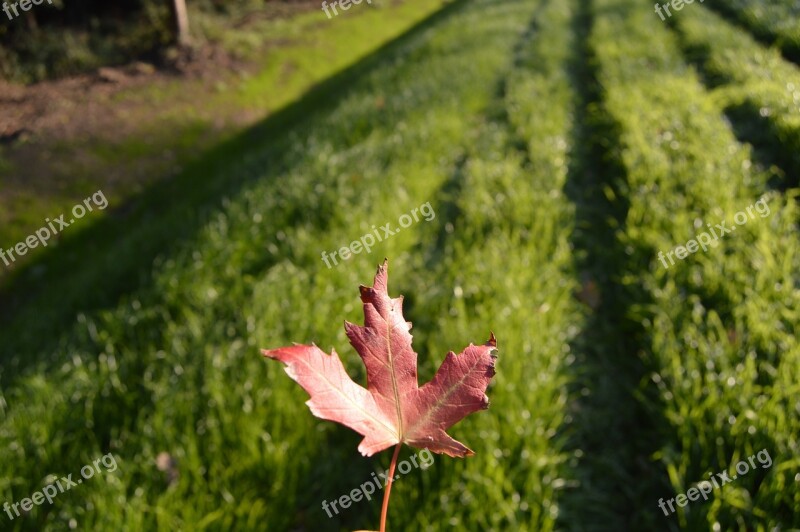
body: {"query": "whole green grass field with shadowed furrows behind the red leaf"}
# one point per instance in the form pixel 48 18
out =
pixel 563 146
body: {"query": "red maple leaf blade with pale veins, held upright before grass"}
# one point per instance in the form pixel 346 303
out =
pixel 393 409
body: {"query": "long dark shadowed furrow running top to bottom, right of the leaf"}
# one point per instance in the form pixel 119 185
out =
pixel 617 421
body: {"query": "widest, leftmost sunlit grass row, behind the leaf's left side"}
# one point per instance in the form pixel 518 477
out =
pixel 175 367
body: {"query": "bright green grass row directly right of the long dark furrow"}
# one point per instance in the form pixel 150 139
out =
pixel 721 325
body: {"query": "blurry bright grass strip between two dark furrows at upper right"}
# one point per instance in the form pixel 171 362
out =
pixel 755 84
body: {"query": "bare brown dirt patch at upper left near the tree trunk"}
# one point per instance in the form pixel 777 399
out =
pixel 43 126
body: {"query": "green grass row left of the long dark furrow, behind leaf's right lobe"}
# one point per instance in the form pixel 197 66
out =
pixel 505 262
